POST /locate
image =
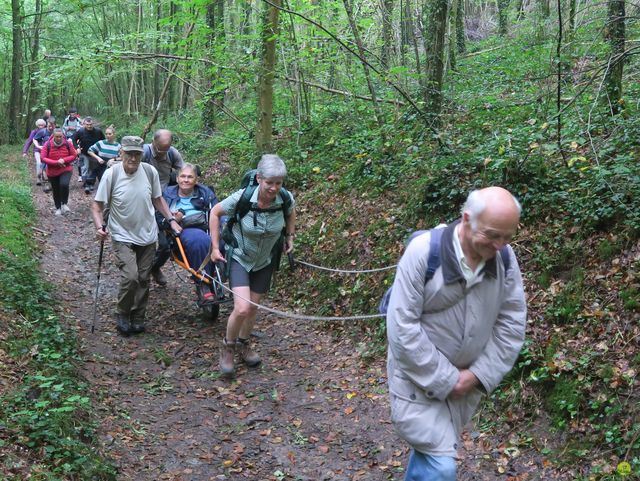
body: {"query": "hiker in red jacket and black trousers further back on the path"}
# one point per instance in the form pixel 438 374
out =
pixel 58 153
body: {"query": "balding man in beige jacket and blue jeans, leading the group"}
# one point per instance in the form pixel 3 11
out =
pixel 453 339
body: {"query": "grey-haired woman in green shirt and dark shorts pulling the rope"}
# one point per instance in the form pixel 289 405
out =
pixel 250 263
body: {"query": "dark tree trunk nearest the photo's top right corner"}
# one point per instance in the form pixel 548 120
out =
pixel 616 36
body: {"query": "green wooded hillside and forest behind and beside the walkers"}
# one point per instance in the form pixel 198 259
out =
pixel 387 113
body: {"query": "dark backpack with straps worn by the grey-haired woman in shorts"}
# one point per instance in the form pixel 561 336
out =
pixel 244 206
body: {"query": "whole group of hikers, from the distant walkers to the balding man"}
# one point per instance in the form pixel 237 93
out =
pixel 455 316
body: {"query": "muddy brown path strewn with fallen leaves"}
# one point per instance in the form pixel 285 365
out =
pixel 313 411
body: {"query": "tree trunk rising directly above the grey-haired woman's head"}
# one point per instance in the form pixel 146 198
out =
pixel 264 127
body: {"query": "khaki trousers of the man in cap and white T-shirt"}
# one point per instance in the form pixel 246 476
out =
pixel 134 263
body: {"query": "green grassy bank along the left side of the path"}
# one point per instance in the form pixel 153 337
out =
pixel 46 427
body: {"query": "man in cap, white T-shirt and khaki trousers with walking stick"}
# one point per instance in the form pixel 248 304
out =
pixel 131 190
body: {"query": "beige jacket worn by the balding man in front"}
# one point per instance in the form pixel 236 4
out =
pixel 446 325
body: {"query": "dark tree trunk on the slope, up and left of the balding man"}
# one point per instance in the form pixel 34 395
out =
pixel 436 16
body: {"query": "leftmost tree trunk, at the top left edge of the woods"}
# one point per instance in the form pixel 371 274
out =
pixel 15 96
